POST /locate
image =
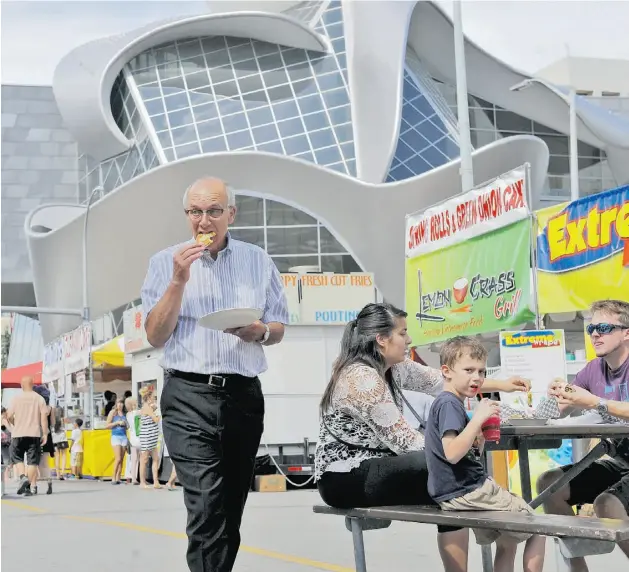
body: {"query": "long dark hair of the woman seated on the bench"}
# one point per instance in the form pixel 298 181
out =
pixel 359 344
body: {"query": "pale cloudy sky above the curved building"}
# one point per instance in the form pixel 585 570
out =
pixel 526 34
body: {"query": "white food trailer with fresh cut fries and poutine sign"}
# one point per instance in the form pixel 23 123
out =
pixel 320 304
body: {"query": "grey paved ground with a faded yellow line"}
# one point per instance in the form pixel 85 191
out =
pixel 91 525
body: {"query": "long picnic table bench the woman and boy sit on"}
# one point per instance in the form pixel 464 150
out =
pixel 604 531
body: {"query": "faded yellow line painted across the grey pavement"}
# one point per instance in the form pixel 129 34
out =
pixel 157 531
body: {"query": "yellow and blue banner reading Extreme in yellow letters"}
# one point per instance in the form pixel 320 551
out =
pixel 583 252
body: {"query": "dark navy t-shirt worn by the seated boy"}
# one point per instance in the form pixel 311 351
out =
pixel 445 480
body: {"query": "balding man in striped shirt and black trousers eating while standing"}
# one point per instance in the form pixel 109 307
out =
pixel 212 403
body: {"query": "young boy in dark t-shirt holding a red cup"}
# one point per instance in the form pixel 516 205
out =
pixel 457 479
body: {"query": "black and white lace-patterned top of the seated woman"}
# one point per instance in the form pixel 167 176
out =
pixel 364 412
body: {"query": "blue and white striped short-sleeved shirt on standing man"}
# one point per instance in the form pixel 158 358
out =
pixel 242 276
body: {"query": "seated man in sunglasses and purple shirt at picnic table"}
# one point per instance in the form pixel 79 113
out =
pixel 601 386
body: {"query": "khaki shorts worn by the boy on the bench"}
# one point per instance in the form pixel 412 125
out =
pixel 491 496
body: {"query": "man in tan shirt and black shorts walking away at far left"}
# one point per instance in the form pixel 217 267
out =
pixel 29 416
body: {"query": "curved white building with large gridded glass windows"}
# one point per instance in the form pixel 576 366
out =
pixel 332 119
